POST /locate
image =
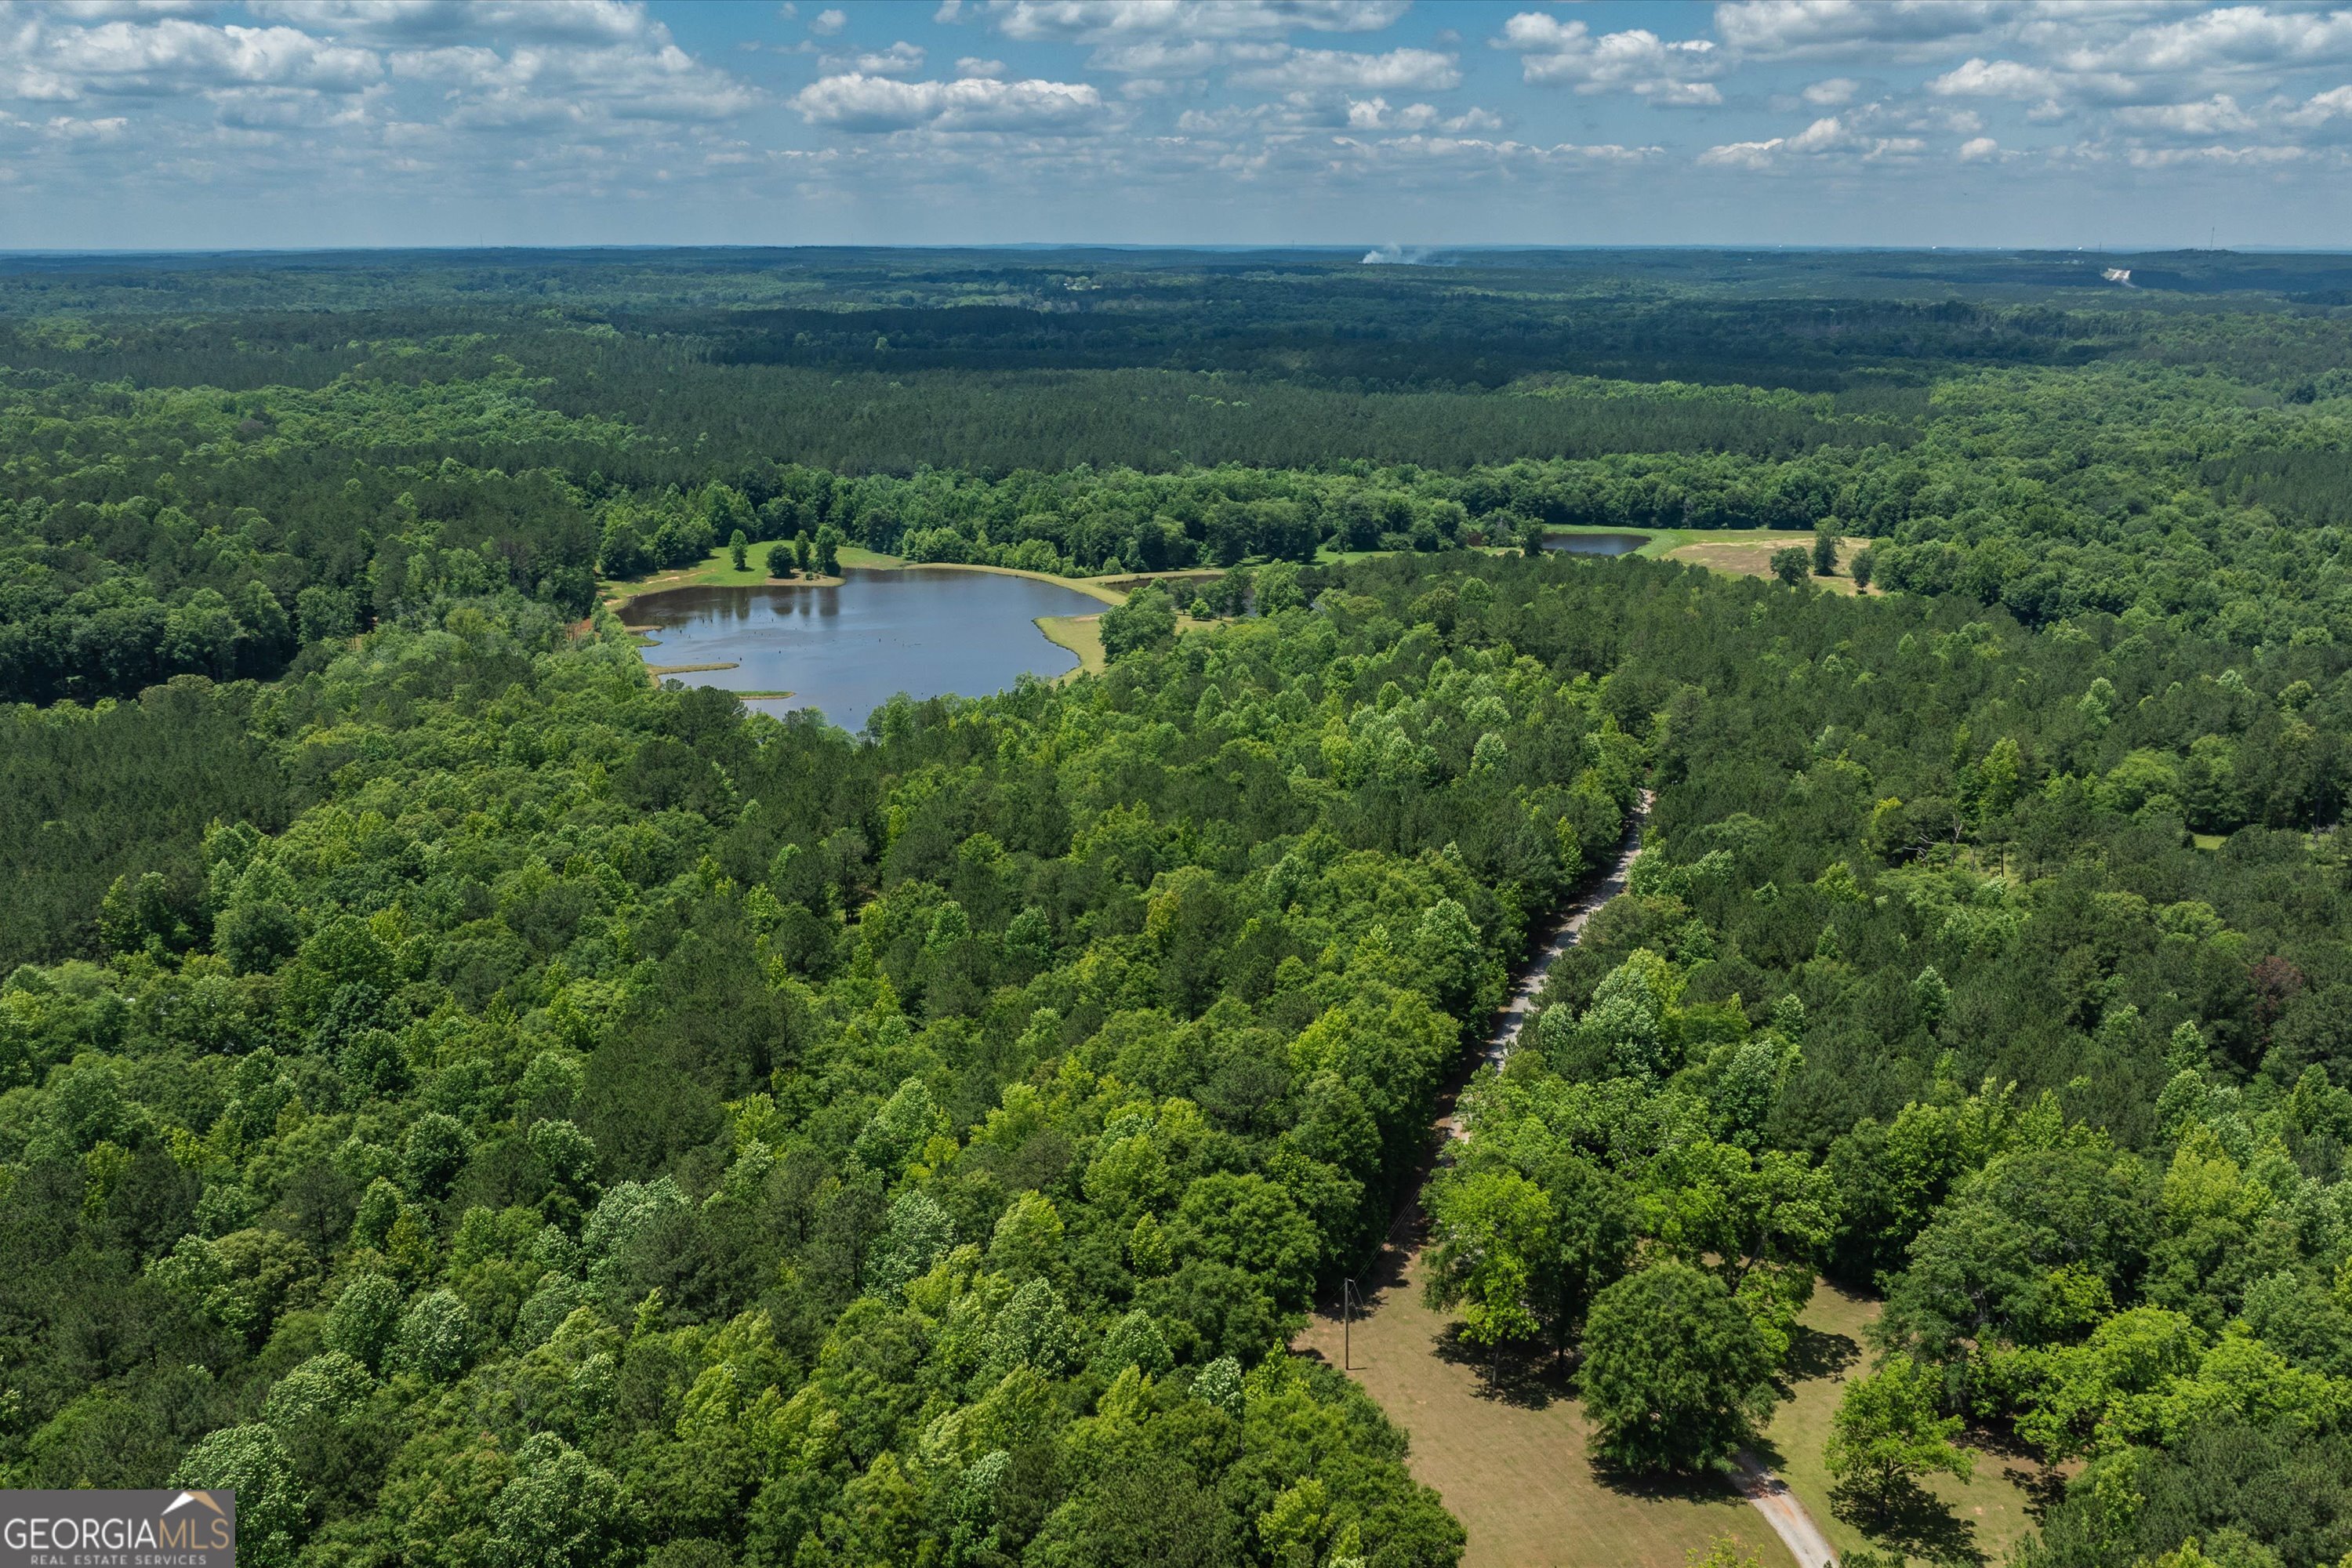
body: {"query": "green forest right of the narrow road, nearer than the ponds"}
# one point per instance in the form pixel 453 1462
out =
pixel 1923 984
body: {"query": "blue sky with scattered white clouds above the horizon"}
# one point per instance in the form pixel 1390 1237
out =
pixel 309 123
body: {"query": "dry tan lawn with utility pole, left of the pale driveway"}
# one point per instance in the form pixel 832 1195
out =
pixel 1514 1463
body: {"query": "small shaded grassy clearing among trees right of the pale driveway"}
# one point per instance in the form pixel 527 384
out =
pixel 1956 1525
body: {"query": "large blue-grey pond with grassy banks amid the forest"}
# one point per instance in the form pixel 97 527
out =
pixel 848 650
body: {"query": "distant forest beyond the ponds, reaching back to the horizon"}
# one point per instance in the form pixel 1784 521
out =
pixel 208 492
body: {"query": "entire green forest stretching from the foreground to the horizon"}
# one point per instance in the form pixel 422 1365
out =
pixel 486 1106
